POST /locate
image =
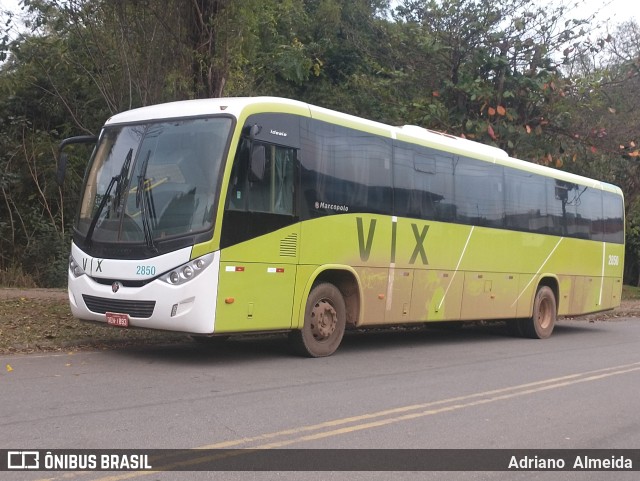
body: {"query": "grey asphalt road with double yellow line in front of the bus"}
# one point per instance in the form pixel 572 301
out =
pixel 475 388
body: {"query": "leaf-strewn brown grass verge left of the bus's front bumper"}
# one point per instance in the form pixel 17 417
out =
pixel 44 324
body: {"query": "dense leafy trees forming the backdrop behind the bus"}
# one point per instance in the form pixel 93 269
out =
pixel 534 81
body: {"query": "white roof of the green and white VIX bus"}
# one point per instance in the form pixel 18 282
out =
pixel 238 106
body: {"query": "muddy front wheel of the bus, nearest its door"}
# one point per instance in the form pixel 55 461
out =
pixel 324 323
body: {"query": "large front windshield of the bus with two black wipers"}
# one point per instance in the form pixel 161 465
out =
pixel 150 181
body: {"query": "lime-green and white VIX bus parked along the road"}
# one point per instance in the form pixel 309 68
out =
pixel 225 216
